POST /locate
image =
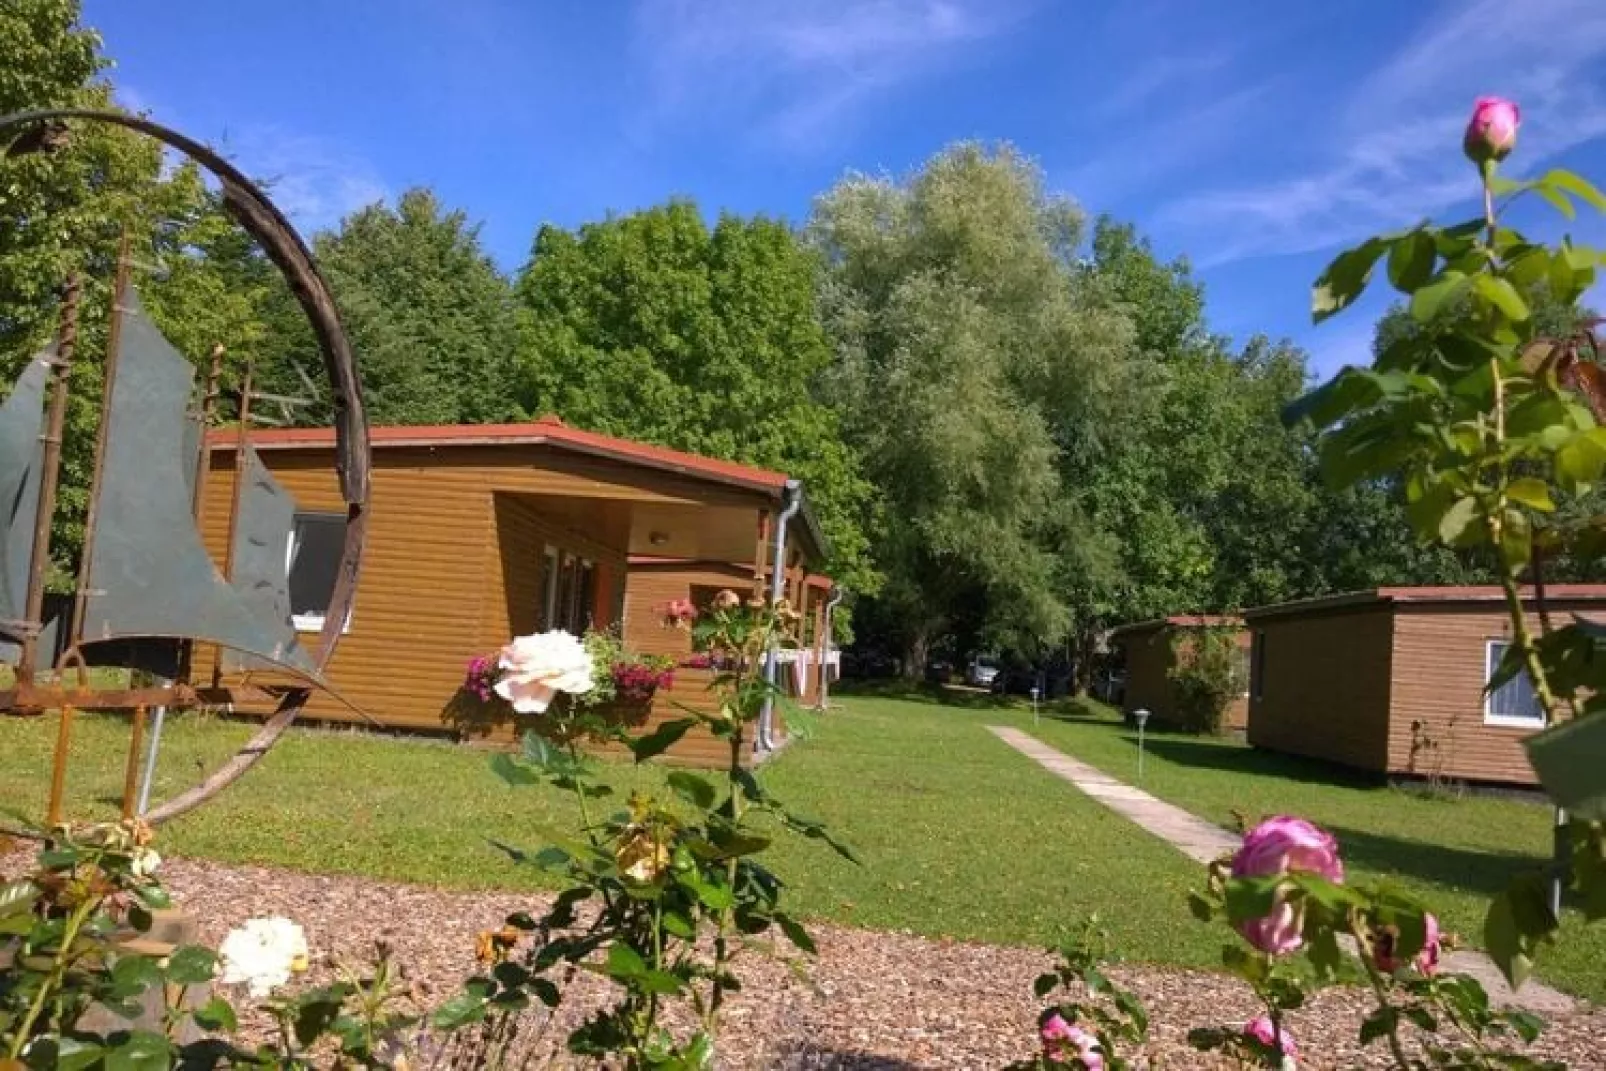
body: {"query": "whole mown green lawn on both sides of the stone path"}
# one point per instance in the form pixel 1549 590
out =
pixel 961 836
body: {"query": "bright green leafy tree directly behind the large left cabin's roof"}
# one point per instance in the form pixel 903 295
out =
pixel 706 340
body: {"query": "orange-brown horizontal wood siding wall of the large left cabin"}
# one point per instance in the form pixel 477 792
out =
pixel 441 574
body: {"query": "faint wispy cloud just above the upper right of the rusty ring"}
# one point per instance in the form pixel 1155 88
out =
pixel 316 182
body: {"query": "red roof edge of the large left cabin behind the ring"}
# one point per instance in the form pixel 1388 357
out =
pixel 548 431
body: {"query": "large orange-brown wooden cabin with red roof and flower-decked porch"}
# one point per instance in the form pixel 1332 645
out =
pixel 478 534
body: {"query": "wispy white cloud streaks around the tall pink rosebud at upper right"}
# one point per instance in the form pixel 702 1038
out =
pixel 1392 152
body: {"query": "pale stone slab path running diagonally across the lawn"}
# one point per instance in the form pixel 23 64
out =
pixel 1207 842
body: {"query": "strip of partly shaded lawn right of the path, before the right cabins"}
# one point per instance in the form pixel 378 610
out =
pixel 1453 853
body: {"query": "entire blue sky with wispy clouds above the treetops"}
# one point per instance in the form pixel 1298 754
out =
pixel 1255 137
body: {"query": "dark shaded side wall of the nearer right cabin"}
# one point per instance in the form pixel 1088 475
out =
pixel 1326 686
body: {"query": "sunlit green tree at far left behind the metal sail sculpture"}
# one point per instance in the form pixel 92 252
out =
pixel 67 210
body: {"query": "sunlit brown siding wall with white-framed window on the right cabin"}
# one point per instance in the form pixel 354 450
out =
pixel 1437 727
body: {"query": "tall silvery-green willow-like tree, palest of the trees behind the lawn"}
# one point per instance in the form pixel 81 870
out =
pixel 969 365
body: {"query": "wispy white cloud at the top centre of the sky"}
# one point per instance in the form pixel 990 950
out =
pixel 801 71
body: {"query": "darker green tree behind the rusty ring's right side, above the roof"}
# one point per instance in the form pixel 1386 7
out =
pixel 431 317
